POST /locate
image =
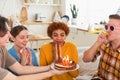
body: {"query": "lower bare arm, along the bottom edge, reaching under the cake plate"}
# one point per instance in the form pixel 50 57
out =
pixel 38 76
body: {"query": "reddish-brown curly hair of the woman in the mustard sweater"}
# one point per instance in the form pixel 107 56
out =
pixel 57 25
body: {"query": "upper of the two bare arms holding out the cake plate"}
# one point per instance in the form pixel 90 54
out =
pixel 16 67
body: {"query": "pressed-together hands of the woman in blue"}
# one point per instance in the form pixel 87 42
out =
pixel 26 58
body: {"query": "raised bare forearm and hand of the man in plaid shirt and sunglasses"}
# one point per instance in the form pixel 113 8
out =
pixel 91 52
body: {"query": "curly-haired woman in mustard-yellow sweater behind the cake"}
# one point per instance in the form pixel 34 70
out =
pixel 58 31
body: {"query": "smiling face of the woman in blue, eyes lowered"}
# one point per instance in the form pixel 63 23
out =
pixel 21 39
